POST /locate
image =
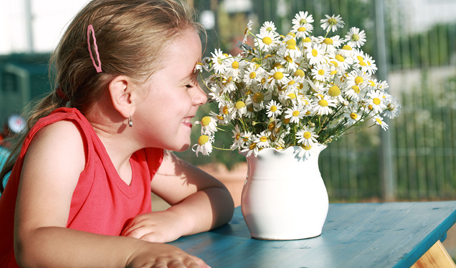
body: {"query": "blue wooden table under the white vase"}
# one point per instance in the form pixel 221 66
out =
pixel 354 235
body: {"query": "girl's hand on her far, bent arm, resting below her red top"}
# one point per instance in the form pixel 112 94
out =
pixel 160 227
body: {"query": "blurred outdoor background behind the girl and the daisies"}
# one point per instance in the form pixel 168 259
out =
pixel 412 41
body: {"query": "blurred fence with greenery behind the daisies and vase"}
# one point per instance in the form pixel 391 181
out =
pixel 416 158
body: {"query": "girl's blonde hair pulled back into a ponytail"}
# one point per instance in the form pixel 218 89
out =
pixel 130 36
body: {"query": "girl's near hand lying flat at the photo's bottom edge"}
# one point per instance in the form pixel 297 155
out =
pixel 162 255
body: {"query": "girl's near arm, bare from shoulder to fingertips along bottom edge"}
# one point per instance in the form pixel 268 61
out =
pixel 49 176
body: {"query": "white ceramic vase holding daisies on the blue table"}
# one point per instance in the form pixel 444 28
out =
pixel 284 196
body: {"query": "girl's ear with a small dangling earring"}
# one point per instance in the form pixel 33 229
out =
pixel 121 90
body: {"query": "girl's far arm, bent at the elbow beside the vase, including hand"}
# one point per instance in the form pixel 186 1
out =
pixel 199 202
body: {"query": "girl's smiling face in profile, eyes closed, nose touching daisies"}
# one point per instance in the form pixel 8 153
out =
pixel 164 118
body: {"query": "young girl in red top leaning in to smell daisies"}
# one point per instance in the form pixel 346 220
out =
pixel 79 192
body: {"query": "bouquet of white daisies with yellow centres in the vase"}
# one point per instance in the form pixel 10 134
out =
pixel 293 90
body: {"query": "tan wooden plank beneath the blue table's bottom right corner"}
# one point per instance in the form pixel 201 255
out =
pixel 435 257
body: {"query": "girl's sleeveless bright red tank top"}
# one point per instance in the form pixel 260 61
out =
pixel 102 202
